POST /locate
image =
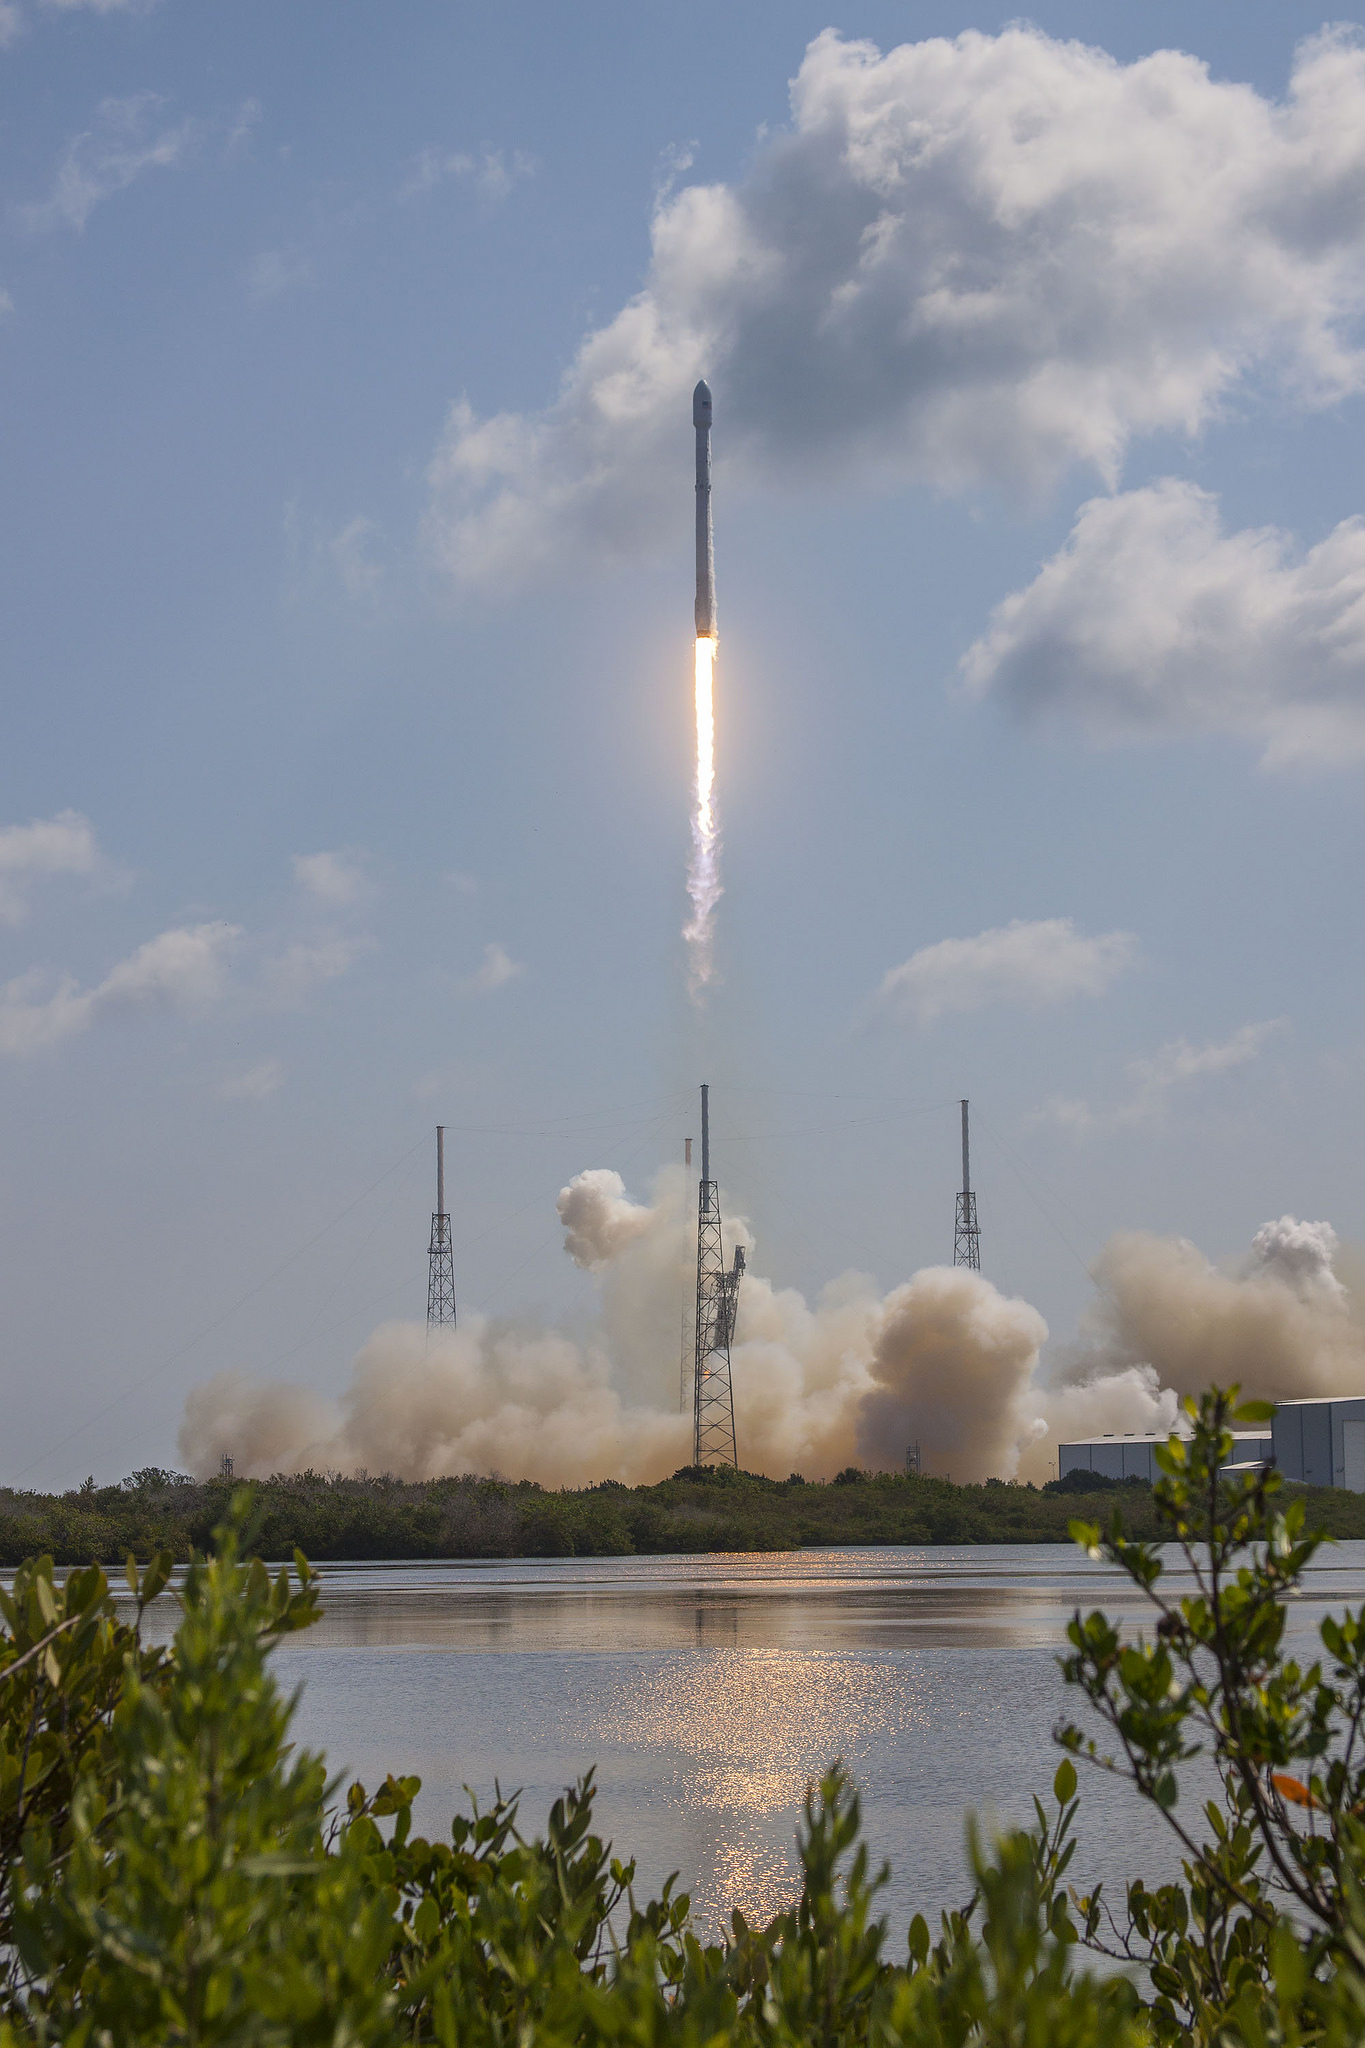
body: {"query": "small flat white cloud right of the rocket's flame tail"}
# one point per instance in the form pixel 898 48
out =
pixel 1034 964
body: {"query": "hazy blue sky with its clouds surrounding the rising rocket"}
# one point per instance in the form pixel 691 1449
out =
pixel 359 732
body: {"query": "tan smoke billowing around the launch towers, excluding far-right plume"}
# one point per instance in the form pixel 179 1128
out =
pixel 850 1379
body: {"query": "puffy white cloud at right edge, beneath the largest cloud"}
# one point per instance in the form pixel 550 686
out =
pixel 1151 620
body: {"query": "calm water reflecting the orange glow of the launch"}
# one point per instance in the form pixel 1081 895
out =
pixel 707 1693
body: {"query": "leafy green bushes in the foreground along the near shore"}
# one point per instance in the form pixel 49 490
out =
pixel 173 1871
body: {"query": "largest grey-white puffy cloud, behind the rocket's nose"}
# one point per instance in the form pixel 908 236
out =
pixel 977 259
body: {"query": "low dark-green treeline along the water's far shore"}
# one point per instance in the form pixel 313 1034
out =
pixel 699 1510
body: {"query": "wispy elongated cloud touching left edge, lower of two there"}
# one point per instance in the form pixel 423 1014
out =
pixel 183 970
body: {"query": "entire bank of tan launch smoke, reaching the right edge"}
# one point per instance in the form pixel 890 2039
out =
pixel 944 1361
